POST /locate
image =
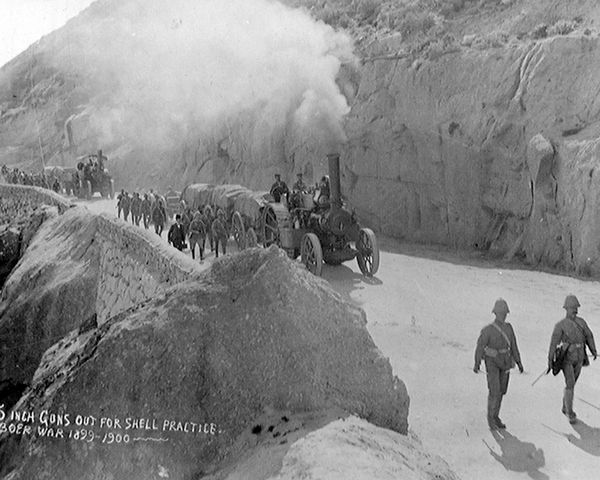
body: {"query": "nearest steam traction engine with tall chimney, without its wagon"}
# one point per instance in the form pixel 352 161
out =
pixel 320 233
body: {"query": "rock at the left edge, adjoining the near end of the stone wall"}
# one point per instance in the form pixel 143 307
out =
pixel 51 291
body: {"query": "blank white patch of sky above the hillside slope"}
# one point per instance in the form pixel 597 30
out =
pixel 23 22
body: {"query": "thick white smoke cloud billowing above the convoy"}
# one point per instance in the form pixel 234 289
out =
pixel 169 67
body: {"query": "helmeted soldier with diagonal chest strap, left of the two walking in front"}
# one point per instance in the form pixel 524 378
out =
pixel 498 343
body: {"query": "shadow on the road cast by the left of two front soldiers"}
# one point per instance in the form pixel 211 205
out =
pixel 519 456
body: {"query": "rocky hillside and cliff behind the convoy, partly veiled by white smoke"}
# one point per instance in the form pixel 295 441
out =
pixel 470 123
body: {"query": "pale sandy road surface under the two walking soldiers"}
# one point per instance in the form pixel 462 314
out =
pixel 425 310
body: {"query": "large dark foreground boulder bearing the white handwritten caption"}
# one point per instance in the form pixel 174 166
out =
pixel 208 362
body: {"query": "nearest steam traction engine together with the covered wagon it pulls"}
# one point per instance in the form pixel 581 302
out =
pixel 318 233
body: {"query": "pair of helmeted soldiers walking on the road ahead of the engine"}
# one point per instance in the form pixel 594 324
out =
pixel 497 346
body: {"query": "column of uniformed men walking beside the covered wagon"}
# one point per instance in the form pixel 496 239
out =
pixel 196 227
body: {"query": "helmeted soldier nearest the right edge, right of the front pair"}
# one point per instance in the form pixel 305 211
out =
pixel 574 333
